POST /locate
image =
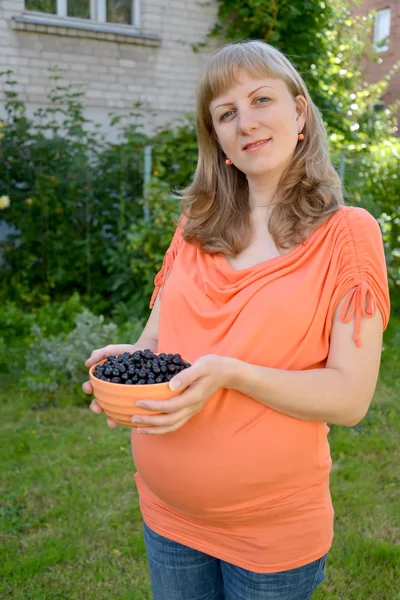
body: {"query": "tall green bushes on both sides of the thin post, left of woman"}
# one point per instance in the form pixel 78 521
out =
pixel 77 204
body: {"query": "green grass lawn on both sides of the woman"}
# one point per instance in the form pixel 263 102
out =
pixel 70 522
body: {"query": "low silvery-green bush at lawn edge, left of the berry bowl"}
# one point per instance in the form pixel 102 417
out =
pixel 46 348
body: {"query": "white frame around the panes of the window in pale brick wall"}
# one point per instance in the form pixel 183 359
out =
pixel 98 14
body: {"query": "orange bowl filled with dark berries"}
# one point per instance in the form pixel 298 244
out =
pixel 120 381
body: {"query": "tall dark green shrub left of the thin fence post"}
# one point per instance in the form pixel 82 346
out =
pixel 72 197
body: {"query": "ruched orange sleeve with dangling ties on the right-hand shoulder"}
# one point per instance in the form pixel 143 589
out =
pixel 362 279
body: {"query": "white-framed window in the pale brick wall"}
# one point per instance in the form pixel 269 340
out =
pixel 125 12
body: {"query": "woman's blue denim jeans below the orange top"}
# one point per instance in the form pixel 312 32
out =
pixel 181 573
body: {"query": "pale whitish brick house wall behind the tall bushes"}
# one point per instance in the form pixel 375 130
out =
pixel 116 71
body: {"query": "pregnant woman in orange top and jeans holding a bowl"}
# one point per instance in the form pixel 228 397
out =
pixel 277 293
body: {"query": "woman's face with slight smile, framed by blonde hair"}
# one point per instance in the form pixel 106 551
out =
pixel 258 110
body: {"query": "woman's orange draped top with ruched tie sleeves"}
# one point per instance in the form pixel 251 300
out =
pixel 241 481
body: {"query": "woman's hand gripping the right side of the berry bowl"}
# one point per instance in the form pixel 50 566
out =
pixel 207 375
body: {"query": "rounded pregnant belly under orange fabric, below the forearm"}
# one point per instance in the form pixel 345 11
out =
pixel 217 467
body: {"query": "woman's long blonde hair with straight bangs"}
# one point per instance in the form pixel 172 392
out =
pixel 216 204
